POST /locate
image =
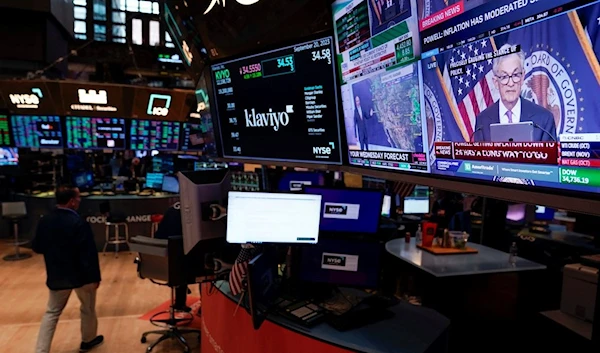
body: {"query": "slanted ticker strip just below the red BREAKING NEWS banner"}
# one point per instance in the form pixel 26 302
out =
pixel 536 17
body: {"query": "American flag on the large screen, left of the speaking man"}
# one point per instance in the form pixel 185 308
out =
pixel 473 91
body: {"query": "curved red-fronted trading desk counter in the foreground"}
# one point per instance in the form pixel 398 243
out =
pixel 412 330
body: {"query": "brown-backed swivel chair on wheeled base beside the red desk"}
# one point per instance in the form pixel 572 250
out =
pixel 162 262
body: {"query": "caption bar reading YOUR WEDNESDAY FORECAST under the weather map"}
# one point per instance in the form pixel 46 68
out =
pixel 389 160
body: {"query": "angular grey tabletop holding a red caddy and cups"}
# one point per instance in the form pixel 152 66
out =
pixel 487 261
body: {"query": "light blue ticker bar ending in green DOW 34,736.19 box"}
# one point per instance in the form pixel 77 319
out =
pixel 550 174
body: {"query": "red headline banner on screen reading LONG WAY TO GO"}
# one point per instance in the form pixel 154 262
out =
pixel 508 152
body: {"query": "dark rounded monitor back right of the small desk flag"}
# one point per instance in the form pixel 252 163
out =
pixel 262 287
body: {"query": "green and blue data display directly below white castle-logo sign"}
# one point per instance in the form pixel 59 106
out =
pixel 95 133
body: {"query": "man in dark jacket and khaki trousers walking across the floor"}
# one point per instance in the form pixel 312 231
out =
pixel 71 258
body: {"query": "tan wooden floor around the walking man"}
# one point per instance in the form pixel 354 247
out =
pixel 122 299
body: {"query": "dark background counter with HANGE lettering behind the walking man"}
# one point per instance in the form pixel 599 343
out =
pixel 137 209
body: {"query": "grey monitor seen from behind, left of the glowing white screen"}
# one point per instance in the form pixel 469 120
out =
pixel 197 192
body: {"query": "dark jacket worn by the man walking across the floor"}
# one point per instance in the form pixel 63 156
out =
pixel 70 254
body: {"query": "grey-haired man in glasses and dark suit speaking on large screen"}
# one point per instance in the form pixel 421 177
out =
pixel 511 108
